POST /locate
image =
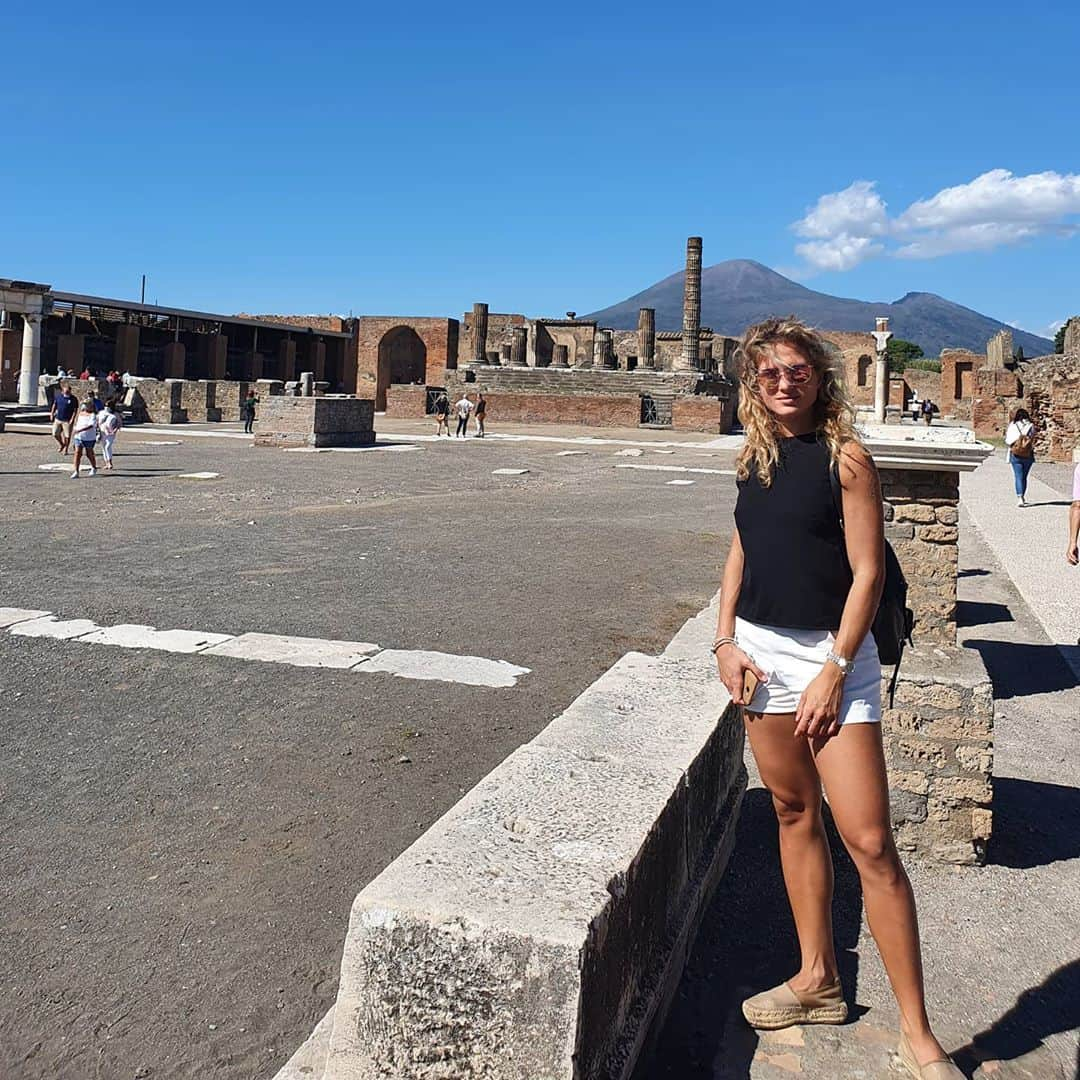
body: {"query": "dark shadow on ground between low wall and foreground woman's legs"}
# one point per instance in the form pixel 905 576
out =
pixel 747 943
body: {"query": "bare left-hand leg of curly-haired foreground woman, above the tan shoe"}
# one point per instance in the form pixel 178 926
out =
pixel 788 769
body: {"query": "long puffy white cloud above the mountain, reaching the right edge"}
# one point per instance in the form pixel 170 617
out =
pixel 995 210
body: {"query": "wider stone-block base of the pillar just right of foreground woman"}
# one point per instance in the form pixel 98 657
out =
pixel 939 742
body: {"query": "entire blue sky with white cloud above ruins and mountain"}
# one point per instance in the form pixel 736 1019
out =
pixel 415 158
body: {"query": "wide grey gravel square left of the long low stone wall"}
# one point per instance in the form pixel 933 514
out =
pixel 183 836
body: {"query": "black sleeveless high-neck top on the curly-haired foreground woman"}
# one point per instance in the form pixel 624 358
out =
pixel 795 565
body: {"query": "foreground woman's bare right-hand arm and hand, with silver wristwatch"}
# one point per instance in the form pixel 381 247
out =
pixel 818 713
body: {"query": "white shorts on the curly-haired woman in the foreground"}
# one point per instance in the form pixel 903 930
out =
pixel 792 658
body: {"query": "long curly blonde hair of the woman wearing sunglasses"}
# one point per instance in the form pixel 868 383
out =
pixel 834 415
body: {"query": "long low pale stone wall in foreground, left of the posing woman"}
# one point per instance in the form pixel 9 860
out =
pixel 541 927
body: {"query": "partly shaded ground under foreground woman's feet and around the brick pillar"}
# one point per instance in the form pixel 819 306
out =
pixel 1002 947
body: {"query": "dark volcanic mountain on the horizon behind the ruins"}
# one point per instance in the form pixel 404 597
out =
pixel 740 292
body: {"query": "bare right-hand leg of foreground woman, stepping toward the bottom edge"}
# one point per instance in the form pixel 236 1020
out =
pixel 853 768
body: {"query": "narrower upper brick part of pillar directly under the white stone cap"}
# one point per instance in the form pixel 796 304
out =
pixel 922 511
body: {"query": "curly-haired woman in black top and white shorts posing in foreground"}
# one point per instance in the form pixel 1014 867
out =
pixel 800 595
